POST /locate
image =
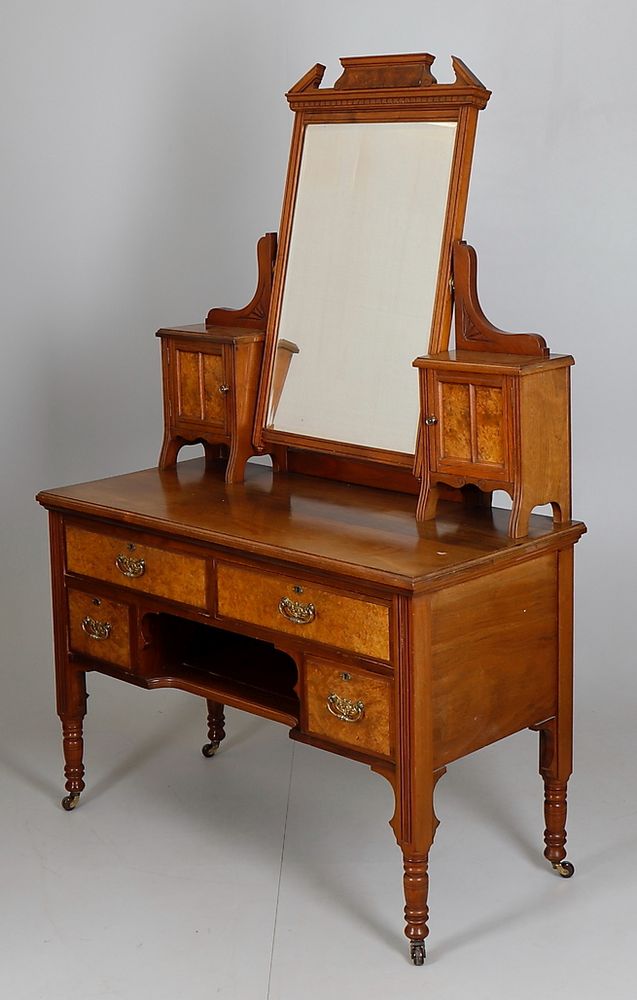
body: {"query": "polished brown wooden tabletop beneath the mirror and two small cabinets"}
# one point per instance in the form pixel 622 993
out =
pixel 355 531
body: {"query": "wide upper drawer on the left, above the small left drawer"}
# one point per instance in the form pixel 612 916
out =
pixel 172 575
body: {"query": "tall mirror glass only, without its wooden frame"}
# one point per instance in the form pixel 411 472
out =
pixel 361 279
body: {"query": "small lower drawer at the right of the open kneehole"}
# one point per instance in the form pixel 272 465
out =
pixel 349 706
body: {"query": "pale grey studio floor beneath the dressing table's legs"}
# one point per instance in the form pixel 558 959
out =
pixel 270 872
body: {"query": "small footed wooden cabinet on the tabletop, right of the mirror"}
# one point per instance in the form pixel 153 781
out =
pixel 496 421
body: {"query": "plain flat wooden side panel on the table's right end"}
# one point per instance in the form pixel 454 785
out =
pixel 494 651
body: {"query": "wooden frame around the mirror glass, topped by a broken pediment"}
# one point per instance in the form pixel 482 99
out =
pixel 394 88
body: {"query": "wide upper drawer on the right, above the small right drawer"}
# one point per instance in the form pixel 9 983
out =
pixel 294 606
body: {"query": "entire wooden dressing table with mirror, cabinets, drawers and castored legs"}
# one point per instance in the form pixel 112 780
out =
pixel 310 593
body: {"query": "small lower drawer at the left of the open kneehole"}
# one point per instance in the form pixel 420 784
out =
pixel 99 628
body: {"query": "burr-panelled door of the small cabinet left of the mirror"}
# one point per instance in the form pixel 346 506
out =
pixel 201 386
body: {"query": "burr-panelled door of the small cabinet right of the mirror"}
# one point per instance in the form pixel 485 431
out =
pixel 468 419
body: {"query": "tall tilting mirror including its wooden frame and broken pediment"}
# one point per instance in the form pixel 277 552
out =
pixel 375 198
